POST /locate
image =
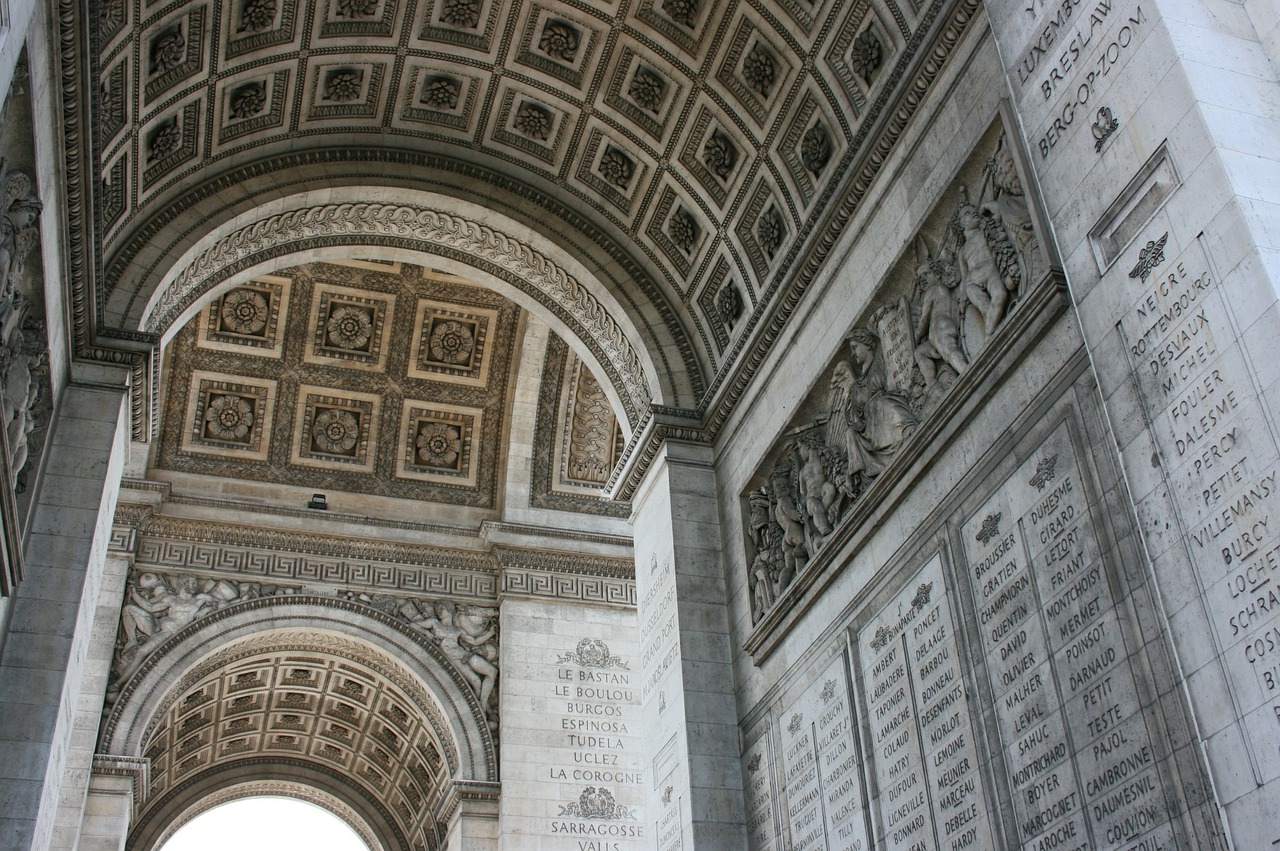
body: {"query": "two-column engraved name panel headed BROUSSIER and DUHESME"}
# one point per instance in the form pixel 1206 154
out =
pixel 1081 762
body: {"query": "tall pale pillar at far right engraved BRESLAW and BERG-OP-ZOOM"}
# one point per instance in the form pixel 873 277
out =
pixel 1151 134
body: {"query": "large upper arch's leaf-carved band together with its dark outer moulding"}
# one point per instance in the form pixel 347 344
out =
pixel 602 304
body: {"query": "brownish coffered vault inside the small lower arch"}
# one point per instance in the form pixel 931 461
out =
pixel 303 711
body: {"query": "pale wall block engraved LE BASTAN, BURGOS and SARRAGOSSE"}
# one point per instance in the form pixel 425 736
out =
pixel 573 768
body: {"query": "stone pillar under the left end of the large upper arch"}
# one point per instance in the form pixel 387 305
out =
pixel 44 658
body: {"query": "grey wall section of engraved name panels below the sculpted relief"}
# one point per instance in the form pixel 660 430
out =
pixel 1003 696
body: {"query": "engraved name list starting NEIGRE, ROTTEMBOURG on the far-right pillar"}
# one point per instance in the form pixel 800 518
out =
pixel 1220 460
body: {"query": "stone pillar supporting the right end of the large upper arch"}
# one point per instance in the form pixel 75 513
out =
pixel 689 706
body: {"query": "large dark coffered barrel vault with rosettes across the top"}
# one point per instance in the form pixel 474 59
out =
pixel 694 147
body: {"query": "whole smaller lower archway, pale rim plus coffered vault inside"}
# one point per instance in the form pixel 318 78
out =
pixel 313 693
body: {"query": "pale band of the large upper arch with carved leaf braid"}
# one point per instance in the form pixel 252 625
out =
pixel 623 344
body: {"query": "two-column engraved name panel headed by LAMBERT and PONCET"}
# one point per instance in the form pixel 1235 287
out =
pixel 921 734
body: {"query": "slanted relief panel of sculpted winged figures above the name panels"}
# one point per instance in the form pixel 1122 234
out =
pixel 939 317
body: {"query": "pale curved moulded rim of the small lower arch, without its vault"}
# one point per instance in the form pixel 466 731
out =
pixel 336 628
